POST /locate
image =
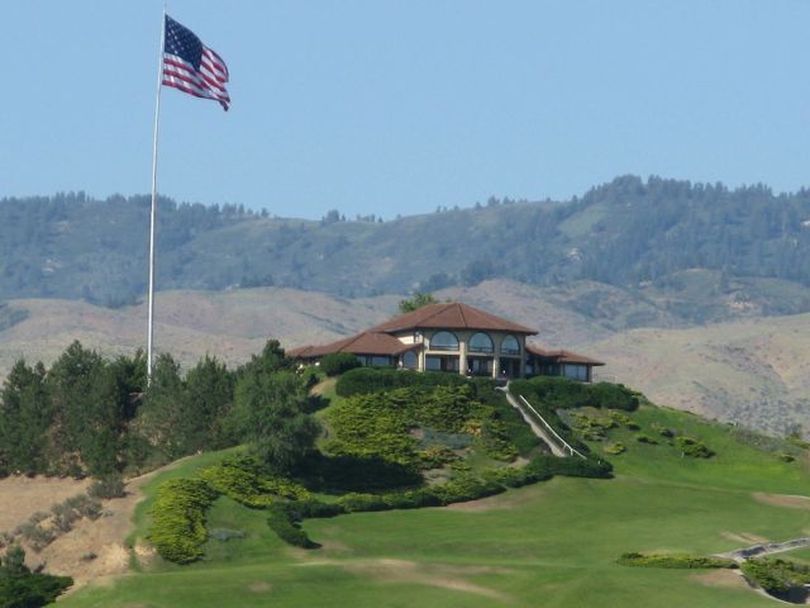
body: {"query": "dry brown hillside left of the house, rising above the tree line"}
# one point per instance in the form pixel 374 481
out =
pixel 231 325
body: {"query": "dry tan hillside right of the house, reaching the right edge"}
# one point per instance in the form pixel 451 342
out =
pixel 754 372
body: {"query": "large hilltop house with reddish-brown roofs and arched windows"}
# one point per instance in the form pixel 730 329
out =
pixel 455 337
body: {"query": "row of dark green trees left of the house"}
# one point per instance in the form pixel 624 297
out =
pixel 90 415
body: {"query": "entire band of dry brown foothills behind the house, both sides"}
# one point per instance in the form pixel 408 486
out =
pixel 754 371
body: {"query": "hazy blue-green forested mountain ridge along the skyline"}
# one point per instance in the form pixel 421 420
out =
pixel 640 236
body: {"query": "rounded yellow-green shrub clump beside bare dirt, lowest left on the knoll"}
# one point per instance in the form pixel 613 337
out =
pixel 178 519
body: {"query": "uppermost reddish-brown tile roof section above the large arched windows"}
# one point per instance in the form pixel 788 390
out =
pixel 453 315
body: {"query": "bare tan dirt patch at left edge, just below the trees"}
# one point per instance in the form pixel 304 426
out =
pixel 21 497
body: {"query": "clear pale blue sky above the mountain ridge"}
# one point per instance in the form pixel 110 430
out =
pixel 398 107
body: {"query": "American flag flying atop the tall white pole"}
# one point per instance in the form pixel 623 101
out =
pixel 191 66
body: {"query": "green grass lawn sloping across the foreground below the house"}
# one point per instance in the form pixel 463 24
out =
pixel 551 544
